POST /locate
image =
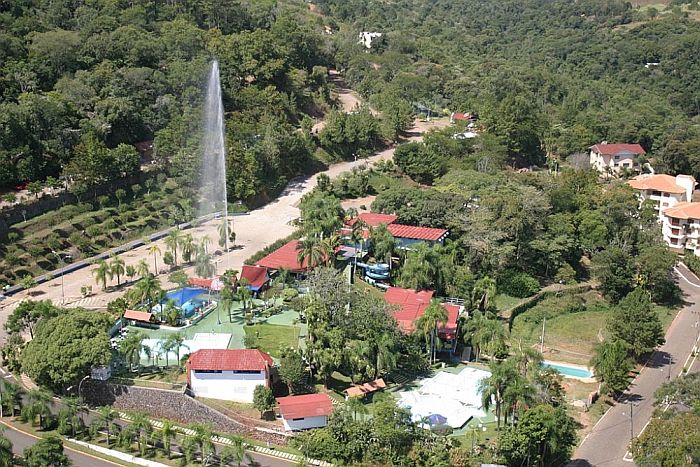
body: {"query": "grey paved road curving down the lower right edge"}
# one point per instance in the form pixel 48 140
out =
pixel 607 444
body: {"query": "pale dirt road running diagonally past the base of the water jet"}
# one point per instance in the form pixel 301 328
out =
pixel 254 231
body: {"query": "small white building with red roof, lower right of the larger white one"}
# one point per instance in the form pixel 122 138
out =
pixel 304 412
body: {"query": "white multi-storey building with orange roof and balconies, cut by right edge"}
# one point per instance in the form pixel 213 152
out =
pixel 680 226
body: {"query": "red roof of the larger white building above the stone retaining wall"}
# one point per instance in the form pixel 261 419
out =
pixel 229 360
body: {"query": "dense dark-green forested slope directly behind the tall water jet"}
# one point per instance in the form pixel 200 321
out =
pixel 81 82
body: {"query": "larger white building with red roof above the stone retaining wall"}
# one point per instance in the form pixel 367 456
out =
pixel 228 374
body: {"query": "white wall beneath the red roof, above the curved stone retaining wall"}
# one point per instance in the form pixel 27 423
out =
pixel 226 385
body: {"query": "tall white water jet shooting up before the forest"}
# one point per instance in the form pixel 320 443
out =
pixel 213 173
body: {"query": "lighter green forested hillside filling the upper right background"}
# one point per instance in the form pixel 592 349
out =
pixel 552 76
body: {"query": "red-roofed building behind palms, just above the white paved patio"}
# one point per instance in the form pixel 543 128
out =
pixel 412 304
